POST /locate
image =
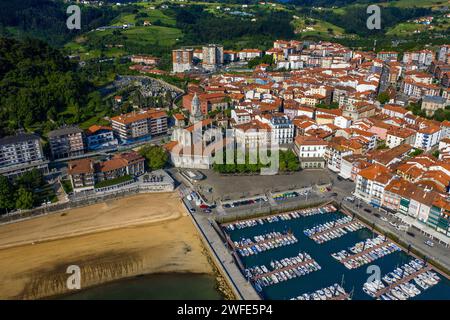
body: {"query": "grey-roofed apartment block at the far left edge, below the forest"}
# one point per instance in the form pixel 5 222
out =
pixel 21 153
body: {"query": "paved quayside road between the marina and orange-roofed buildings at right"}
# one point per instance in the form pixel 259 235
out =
pixel 439 253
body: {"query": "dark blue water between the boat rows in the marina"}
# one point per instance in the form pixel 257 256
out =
pixel 332 271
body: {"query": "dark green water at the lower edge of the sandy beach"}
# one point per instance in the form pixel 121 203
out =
pixel 176 286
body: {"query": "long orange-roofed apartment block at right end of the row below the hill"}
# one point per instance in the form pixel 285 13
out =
pixel 139 126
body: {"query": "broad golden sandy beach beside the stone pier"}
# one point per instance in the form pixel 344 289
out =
pixel 141 234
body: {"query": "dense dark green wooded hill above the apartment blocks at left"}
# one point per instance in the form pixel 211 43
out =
pixel 40 88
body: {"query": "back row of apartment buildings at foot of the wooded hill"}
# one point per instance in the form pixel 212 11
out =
pixel 24 152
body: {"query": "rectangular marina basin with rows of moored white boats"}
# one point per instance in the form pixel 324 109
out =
pixel 368 248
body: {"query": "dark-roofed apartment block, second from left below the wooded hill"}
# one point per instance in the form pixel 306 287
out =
pixel 66 142
